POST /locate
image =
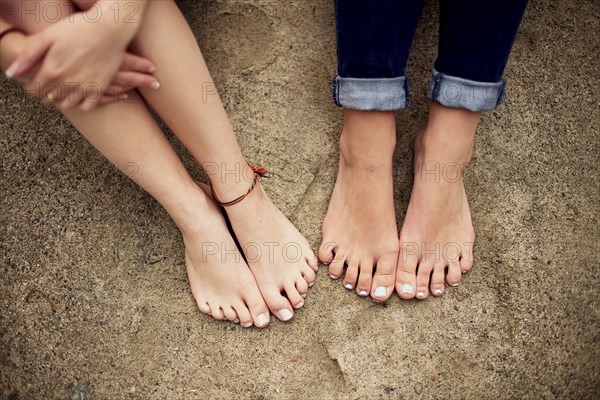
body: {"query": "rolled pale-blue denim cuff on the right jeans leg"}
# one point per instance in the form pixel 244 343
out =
pixel 451 91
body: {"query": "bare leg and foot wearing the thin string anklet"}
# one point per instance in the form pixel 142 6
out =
pixel 278 255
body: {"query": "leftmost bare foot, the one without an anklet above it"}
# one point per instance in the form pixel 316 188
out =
pixel 220 279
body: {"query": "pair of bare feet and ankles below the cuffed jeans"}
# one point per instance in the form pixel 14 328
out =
pixel 436 240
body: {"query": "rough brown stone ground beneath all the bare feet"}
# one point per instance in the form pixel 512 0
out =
pixel 94 297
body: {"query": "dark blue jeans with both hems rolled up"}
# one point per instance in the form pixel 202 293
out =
pixel 374 40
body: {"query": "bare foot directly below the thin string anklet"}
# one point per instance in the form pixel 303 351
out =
pixel 279 256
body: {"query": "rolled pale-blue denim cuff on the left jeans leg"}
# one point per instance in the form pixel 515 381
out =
pixel 366 94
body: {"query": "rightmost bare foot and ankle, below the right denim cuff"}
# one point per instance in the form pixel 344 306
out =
pixel 437 237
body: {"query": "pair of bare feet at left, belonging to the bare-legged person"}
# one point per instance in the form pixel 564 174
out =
pixel 270 271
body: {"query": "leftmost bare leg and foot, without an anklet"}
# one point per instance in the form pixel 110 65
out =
pixel 129 137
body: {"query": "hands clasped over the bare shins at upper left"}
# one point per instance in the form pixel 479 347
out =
pixel 80 63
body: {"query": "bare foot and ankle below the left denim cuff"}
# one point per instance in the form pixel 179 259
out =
pixel 359 230
